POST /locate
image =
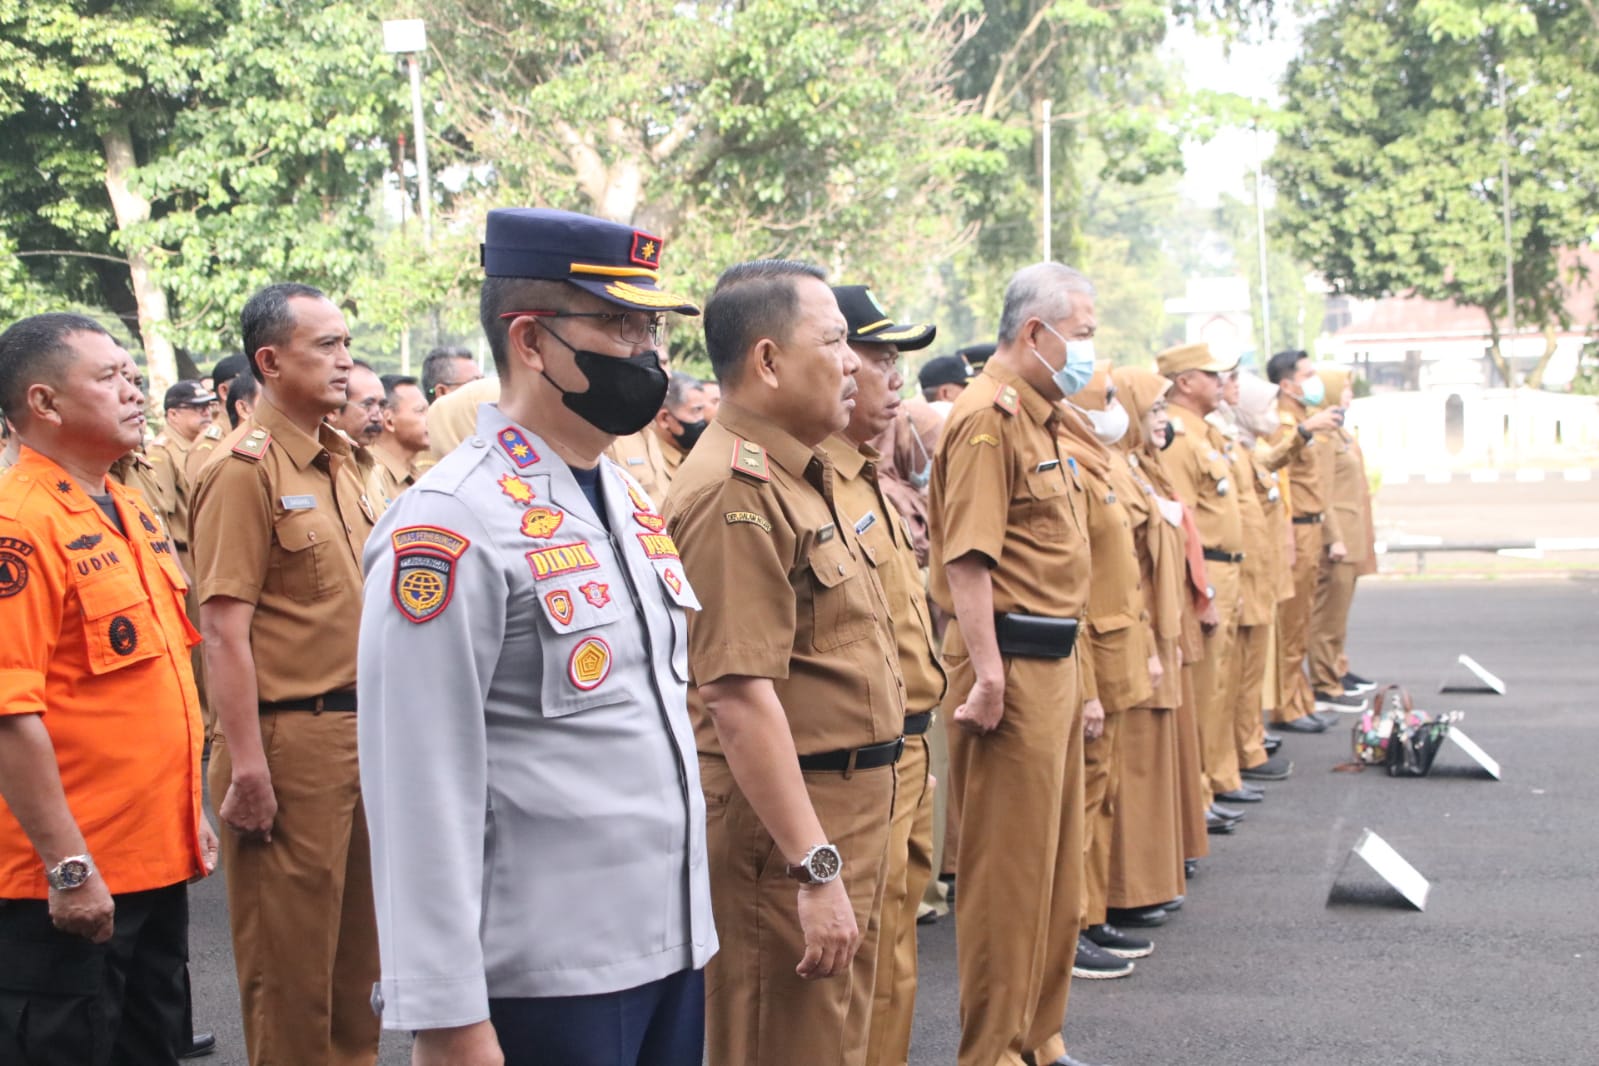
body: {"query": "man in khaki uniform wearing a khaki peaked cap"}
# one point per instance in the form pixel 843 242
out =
pixel 1206 485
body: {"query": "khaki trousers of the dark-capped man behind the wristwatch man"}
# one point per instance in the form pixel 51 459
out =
pixel 907 875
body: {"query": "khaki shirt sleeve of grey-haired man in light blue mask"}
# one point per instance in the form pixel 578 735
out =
pixel 979 467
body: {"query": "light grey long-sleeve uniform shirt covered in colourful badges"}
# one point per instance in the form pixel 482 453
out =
pixel 527 758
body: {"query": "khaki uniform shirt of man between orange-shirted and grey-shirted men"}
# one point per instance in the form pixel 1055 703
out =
pixel 281 523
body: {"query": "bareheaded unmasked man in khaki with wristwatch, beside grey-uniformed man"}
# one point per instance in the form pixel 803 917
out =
pixel 800 706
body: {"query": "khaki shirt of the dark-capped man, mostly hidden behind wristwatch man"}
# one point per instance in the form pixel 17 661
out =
pixel 887 538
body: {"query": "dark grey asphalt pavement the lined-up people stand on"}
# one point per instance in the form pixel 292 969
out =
pixel 1259 968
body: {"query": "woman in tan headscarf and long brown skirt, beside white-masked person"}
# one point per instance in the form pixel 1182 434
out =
pixel 1155 829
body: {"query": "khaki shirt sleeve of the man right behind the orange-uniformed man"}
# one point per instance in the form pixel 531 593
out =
pixel 233 531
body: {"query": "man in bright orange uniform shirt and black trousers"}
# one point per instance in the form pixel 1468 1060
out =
pixel 100 723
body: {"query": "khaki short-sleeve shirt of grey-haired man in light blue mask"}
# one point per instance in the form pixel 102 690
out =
pixel 1005 488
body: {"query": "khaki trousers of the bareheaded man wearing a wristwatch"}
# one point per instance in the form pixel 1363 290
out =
pixel 757 1008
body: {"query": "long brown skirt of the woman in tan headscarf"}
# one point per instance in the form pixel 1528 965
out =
pixel 1147 840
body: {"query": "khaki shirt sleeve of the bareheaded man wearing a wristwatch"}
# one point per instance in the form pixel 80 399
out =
pixel 736 546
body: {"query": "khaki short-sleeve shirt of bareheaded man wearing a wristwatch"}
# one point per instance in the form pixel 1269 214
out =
pixel 789 591
